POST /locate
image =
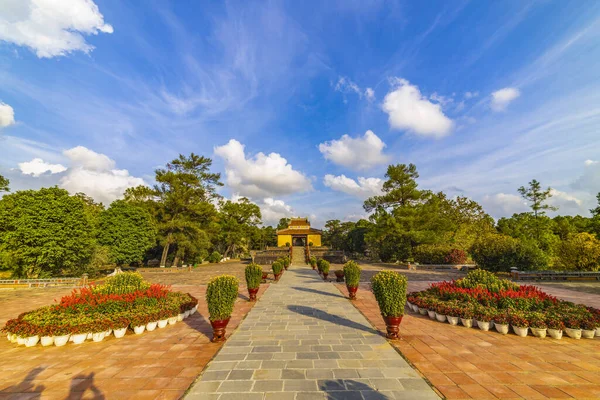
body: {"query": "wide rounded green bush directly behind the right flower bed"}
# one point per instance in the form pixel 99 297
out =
pixel 495 253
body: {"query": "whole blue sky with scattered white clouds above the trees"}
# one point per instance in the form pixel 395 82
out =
pixel 481 96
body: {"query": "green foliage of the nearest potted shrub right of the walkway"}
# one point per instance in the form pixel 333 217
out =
pixel 389 289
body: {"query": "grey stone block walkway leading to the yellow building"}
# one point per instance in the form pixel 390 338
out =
pixel 304 340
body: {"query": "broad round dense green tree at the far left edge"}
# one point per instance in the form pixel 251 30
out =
pixel 45 233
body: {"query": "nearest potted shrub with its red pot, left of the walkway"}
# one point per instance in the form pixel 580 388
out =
pixel 220 298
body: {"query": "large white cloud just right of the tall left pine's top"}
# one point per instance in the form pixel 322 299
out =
pixel 260 176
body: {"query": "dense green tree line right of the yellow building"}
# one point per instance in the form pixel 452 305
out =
pixel 411 224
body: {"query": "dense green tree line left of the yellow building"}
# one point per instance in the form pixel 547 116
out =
pixel 181 219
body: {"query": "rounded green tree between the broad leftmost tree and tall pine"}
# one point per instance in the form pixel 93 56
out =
pixel 128 230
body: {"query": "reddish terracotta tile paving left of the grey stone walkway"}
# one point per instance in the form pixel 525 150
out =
pixel 155 365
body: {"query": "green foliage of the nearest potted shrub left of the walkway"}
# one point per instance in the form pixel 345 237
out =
pixel 220 296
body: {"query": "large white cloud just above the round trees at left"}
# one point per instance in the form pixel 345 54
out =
pixel 95 175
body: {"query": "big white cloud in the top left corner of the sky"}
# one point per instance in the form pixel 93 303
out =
pixel 51 28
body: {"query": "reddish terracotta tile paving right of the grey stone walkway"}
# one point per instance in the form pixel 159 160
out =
pixel 464 363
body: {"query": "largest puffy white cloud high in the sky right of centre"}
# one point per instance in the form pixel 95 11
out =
pixel 408 109
